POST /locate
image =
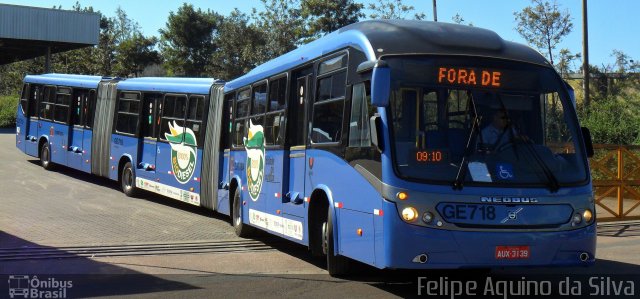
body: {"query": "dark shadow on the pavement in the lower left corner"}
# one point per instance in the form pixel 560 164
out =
pixel 22 259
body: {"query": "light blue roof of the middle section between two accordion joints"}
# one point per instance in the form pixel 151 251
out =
pixel 176 85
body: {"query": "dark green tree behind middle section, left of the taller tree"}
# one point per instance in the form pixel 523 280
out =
pixel 134 54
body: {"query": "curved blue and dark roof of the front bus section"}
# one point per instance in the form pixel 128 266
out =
pixel 379 38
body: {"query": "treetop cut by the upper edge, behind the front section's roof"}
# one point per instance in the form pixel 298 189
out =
pixel 327 16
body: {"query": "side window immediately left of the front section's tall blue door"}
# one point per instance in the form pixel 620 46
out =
pixel 275 117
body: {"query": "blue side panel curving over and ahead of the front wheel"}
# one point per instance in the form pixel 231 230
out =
pixel 358 200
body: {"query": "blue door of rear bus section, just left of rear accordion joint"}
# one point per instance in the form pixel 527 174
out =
pixel 76 150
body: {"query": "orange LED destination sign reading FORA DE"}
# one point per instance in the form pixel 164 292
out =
pixel 463 76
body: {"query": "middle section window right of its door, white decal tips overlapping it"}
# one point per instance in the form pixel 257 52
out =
pixel 172 124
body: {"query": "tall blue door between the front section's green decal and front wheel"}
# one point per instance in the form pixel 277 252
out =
pixel 293 198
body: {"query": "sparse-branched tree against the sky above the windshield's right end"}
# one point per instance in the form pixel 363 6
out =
pixel 543 25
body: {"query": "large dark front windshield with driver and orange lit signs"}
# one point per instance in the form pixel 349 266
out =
pixel 482 121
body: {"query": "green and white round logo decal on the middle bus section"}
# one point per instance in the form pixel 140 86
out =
pixel 183 153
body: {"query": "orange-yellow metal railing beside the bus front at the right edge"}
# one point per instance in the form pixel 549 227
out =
pixel 616 181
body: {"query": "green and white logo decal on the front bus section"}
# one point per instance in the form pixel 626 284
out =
pixel 254 145
